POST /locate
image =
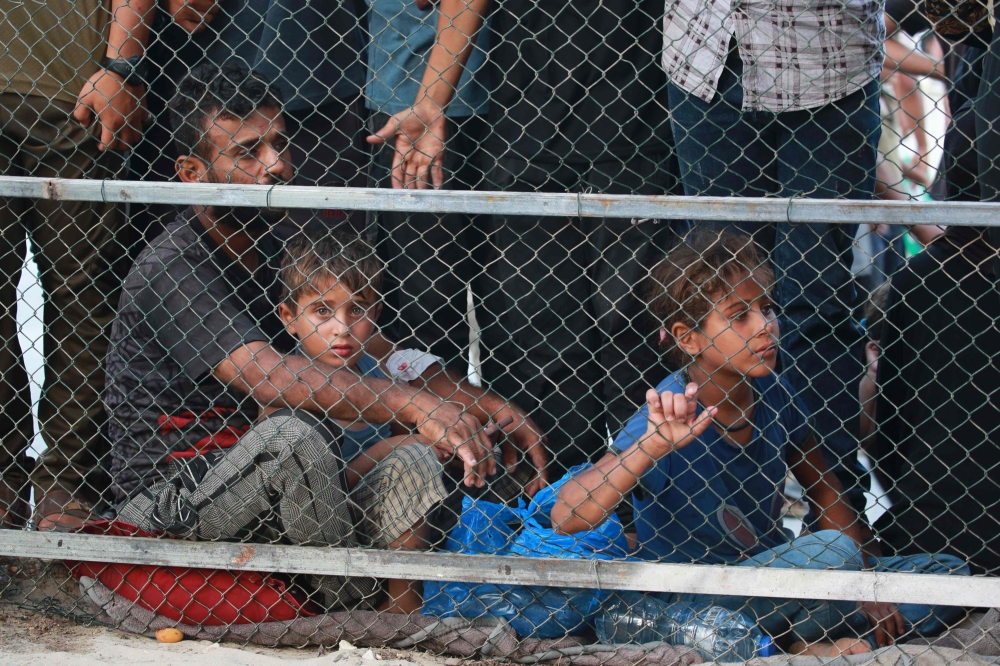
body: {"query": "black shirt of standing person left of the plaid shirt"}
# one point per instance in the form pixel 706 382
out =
pixel 576 81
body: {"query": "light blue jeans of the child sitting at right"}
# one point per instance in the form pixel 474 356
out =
pixel 812 620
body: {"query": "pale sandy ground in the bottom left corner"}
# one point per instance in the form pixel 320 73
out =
pixel 39 637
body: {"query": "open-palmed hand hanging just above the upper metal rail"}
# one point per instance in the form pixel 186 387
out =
pixel 420 137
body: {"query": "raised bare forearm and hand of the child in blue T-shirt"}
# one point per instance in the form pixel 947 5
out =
pixel 587 499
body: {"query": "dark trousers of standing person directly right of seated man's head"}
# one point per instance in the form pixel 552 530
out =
pixel 328 149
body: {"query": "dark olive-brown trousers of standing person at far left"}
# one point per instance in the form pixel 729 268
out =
pixel 77 248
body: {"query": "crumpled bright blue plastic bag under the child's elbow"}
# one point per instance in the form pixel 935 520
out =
pixel 533 611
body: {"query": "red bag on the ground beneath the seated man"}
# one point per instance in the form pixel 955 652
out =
pixel 194 596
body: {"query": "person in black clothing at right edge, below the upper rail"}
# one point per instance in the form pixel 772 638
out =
pixel 937 444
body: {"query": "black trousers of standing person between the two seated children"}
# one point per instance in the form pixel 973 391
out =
pixel 566 337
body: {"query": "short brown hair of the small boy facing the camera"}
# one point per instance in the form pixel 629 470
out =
pixel 314 262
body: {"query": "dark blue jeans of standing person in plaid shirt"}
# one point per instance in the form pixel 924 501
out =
pixel 826 153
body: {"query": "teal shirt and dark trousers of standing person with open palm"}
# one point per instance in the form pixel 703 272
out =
pixel 432 259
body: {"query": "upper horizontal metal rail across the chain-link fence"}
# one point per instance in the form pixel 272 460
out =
pixel 638 208
